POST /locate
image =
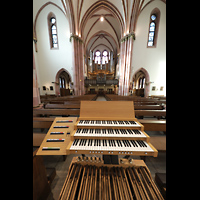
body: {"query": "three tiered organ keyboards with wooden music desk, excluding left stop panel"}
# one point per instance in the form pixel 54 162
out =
pixel 109 128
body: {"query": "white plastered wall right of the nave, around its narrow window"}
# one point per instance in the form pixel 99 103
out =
pixel 151 59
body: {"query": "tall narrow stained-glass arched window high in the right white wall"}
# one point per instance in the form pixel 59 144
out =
pixel 153 28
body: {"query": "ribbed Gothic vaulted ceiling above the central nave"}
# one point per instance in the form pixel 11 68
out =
pixel 119 18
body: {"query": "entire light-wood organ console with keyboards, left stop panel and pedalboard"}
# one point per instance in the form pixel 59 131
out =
pixel 105 129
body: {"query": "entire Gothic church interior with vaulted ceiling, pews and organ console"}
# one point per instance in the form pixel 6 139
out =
pixel 99 99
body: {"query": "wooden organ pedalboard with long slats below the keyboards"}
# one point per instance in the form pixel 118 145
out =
pixel 89 178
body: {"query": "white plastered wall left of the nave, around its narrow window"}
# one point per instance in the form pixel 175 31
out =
pixel 50 61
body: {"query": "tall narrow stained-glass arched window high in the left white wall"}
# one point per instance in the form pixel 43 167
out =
pixel 53 35
